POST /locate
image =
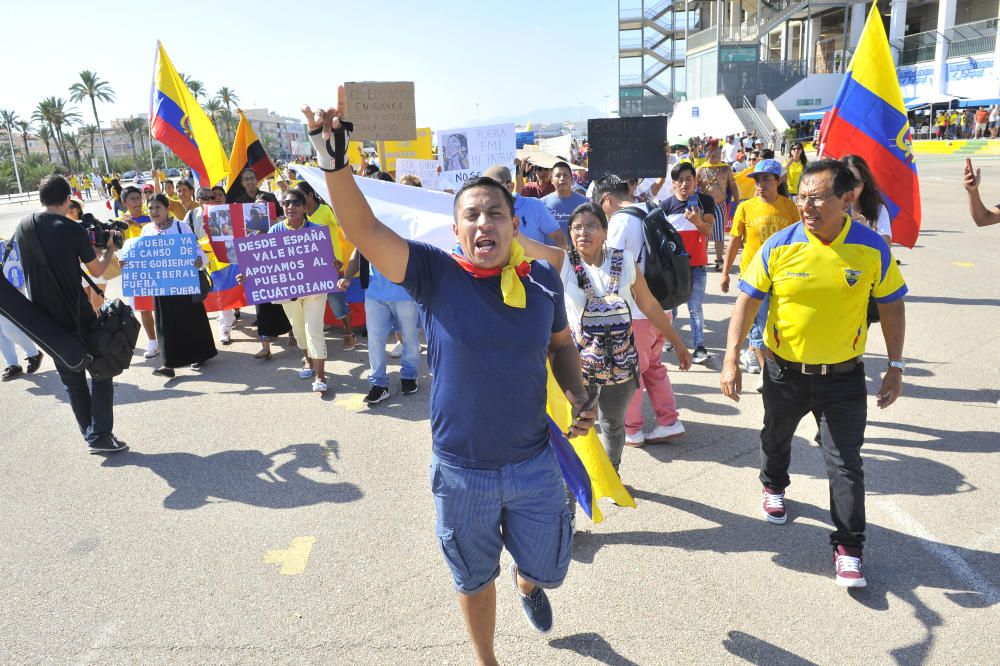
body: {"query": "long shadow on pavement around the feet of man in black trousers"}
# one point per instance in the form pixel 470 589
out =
pixel 906 565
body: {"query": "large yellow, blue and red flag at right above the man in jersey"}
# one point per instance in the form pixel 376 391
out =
pixel 869 119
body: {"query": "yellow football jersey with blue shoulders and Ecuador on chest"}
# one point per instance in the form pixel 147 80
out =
pixel 820 292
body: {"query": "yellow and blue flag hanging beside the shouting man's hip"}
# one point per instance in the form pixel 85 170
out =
pixel 584 464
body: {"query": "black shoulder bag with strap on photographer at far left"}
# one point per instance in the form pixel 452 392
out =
pixel 112 335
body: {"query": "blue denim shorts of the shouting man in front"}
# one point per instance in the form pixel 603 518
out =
pixel 520 506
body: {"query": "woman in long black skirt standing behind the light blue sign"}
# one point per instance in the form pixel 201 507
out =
pixel 181 324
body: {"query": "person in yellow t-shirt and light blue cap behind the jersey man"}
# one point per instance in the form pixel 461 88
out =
pixel 755 221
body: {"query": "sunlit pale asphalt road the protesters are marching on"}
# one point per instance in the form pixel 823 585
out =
pixel 254 522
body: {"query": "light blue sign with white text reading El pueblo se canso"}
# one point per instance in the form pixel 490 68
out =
pixel 160 265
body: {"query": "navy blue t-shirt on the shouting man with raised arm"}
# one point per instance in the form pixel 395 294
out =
pixel 487 358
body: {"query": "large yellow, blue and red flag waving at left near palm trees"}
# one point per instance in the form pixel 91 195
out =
pixel 177 121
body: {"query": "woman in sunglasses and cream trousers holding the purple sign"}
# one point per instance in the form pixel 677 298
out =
pixel 306 312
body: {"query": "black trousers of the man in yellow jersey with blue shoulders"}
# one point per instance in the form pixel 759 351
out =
pixel 840 405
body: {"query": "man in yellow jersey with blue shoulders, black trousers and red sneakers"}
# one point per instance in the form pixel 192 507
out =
pixel 820 274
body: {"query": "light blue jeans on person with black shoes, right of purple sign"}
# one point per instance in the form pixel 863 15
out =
pixel 379 320
